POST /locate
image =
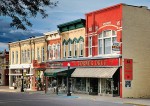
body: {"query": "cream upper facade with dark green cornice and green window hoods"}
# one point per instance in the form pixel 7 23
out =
pixel 72 37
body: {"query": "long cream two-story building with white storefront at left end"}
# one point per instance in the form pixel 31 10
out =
pixel 22 54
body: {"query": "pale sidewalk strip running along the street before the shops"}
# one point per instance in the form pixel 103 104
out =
pixel 136 102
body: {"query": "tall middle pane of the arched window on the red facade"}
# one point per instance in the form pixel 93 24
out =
pixel 107 46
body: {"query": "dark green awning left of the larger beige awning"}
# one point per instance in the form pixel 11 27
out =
pixel 58 72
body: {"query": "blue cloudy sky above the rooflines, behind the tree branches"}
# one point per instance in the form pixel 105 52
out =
pixel 67 10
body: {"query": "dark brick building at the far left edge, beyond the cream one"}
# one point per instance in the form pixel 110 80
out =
pixel 4 68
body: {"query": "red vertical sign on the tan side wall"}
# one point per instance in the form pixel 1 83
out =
pixel 128 69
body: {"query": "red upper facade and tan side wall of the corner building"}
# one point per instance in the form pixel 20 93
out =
pixel 118 30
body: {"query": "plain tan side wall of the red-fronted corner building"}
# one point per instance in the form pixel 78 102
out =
pixel 136 46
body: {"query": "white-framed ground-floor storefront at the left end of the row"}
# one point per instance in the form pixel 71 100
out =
pixel 15 75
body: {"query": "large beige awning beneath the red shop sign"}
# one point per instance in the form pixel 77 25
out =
pixel 94 72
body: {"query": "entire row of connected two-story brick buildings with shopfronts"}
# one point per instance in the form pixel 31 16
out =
pixel 108 54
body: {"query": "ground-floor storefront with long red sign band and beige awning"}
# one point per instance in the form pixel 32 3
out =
pixel 94 76
